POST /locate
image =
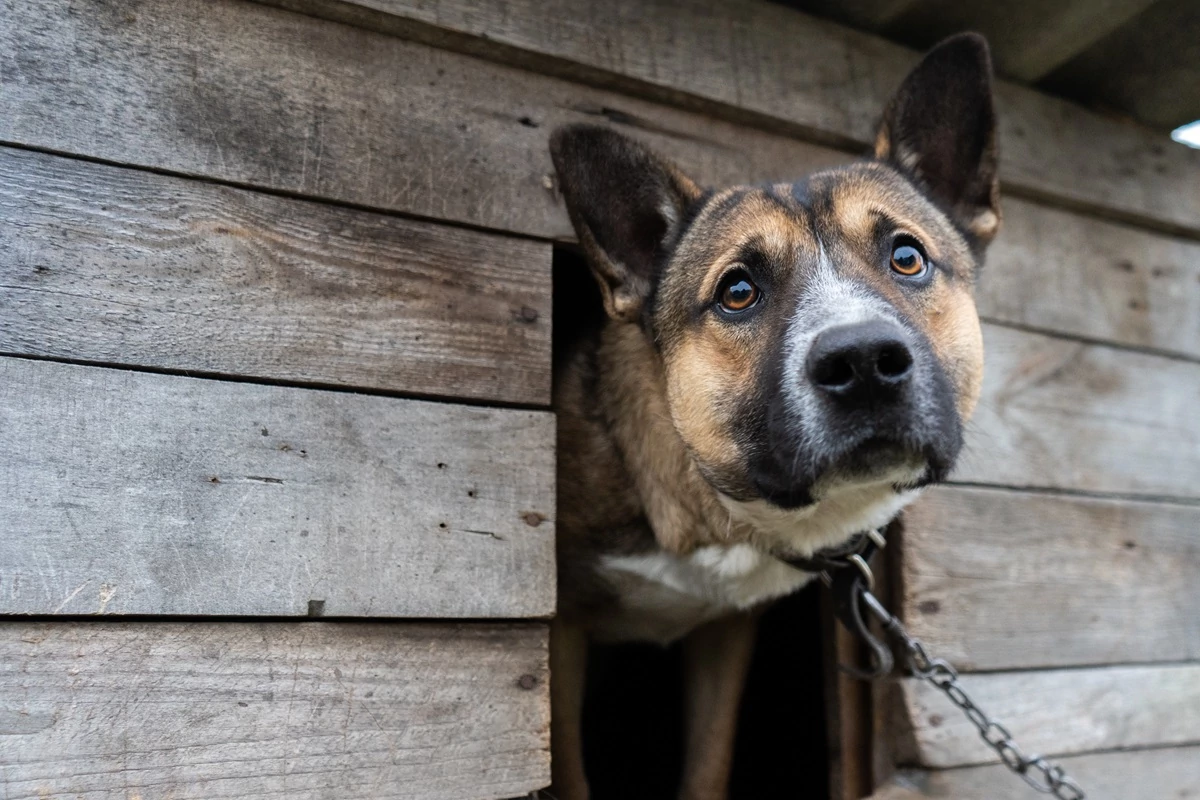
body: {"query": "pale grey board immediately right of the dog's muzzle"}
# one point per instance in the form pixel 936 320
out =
pixel 1058 413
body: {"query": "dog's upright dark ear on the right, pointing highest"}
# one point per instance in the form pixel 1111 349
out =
pixel 940 129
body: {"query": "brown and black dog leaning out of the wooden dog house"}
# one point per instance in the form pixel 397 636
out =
pixel 782 368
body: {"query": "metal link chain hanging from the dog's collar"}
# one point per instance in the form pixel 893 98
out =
pixel 1037 772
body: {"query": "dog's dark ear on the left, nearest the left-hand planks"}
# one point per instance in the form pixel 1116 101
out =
pixel 627 206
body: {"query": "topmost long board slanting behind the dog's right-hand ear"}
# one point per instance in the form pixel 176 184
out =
pixel 772 65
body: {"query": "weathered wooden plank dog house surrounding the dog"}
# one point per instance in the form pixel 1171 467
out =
pixel 277 459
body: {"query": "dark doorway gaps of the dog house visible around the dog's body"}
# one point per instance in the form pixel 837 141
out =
pixel 633 713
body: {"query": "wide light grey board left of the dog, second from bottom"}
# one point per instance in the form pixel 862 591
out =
pixel 134 494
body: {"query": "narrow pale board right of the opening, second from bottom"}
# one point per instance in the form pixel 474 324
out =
pixel 1058 712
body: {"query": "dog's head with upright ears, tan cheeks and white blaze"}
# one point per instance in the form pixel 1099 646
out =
pixel 817 335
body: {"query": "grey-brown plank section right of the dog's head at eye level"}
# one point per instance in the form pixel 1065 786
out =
pixel 1061 272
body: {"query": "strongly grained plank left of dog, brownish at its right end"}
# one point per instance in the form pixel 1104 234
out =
pixel 133 268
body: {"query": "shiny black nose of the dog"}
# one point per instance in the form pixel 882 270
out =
pixel 865 362
